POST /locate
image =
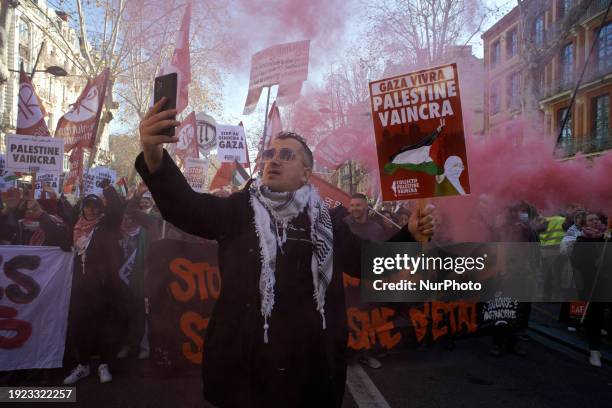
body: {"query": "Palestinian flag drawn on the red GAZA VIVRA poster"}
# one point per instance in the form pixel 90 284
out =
pixel 424 156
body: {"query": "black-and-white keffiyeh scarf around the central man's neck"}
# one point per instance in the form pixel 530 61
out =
pixel 273 213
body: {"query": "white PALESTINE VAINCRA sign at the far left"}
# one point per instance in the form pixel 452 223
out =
pixel 33 154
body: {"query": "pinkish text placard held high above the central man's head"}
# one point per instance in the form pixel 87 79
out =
pixel 282 64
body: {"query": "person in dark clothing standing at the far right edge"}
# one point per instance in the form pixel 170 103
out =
pixel 589 252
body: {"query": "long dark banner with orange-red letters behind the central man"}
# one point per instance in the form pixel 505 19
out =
pixel 185 283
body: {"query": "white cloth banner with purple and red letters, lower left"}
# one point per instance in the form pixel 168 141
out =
pixel 36 283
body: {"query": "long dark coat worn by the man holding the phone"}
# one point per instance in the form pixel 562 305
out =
pixel 302 364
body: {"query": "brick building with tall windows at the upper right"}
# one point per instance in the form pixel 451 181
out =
pixel 587 127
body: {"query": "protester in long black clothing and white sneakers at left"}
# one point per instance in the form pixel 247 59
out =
pixel 98 295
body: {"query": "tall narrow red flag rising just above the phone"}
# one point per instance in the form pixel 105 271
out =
pixel 181 62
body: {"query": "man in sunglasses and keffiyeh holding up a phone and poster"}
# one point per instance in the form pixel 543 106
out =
pixel 278 332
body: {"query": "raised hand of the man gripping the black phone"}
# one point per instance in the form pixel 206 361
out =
pixel 152 133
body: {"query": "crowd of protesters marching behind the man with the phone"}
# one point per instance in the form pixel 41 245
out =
pixel 110 234
